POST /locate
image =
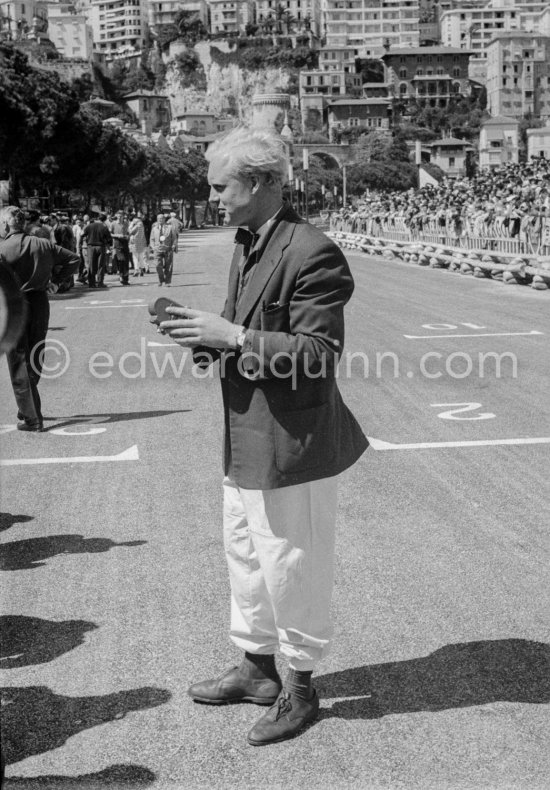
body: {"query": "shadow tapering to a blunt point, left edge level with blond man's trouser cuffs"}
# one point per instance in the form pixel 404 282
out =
pixel 32 640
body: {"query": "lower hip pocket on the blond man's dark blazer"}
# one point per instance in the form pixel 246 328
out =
pixel 302 439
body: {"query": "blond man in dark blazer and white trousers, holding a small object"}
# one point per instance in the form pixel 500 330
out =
pixel 288 433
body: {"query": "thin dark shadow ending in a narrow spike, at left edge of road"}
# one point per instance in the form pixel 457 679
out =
pixel 20 555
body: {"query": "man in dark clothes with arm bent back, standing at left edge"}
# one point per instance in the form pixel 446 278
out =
pixel 36 262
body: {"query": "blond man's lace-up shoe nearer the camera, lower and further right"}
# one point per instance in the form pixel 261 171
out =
pixel 285 719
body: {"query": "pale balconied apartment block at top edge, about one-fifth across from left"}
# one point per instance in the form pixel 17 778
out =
pixel 118 26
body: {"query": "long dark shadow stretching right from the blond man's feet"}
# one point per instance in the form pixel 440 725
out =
pixel 456 676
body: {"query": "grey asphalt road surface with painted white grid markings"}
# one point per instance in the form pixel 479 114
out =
pixel 114 588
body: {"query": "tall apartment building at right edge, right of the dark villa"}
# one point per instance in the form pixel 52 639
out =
pixel 518 75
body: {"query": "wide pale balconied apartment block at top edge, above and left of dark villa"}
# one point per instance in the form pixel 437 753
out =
pixel 366 26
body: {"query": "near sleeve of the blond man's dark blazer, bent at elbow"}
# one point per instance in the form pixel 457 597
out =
pixel 323 286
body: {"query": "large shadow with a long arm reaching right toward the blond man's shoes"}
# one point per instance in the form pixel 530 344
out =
pixel 36 720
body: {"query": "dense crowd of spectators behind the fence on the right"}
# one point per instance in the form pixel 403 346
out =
pixel 510 201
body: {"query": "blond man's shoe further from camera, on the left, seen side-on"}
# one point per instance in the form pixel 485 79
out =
pixel 236 686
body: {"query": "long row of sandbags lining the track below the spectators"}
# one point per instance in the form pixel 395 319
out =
pixel 531 270
